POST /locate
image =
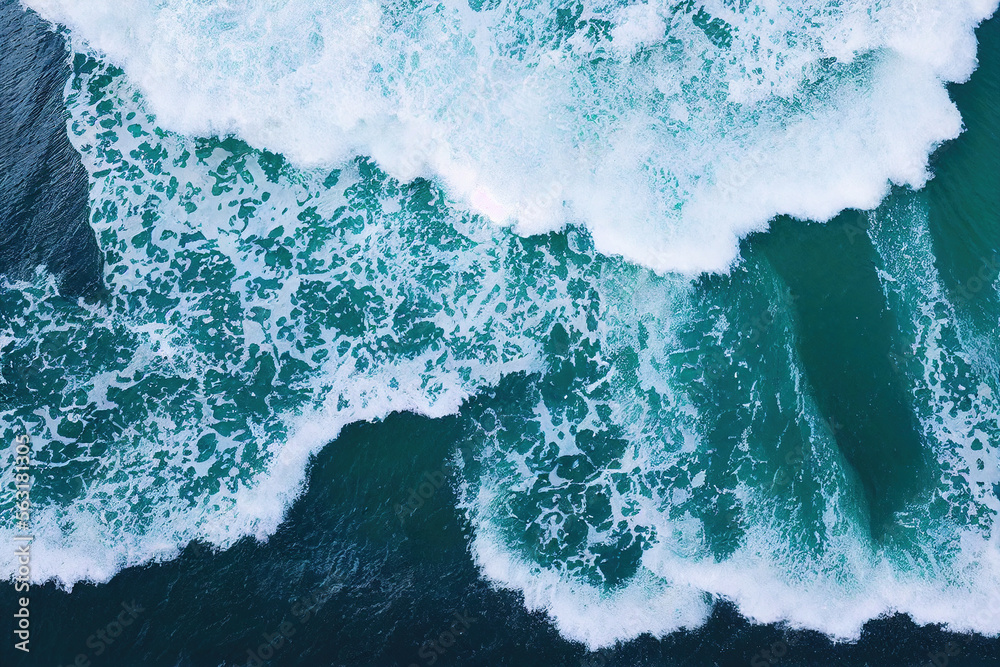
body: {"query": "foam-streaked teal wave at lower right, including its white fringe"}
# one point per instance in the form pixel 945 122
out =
pixel 805 556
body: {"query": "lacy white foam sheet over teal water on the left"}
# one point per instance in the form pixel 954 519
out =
pixel 255 310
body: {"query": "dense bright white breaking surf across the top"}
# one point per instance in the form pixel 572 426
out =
pixel 669 132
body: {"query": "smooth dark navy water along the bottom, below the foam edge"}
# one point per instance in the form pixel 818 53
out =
pixel 374 594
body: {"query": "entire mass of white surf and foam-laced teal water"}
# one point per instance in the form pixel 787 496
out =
pixel 316 213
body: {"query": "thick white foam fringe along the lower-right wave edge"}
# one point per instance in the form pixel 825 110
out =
pixel 770 579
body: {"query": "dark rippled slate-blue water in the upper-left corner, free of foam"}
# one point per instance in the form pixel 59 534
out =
pixel 43 210
